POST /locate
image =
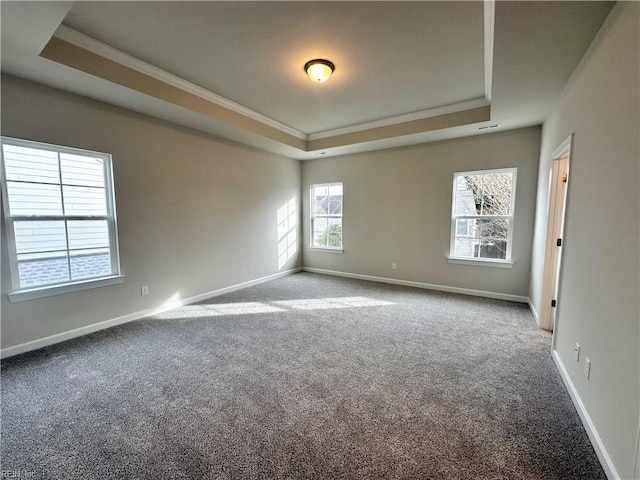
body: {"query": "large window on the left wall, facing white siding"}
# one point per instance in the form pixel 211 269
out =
pixel 60 217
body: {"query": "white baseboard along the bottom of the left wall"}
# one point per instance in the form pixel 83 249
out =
pixel 78 332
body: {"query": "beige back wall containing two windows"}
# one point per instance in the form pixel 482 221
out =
pixel 397 208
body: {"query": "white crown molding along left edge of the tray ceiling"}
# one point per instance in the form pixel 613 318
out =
pixel 106 51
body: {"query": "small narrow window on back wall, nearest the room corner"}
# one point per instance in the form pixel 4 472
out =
pixel 326 216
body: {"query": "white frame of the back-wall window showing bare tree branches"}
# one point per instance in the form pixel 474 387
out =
pixel 491 262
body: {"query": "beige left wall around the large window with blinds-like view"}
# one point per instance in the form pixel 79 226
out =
pixel 195 214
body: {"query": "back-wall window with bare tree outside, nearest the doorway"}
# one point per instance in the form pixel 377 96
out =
pixel 482 215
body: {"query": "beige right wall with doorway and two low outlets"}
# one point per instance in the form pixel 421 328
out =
pixel 599 286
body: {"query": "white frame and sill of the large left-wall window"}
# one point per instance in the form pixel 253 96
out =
pixel 19 294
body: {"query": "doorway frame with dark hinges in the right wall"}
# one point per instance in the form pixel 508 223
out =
pixel 558 185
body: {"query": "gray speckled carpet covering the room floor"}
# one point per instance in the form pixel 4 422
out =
pixel 306 376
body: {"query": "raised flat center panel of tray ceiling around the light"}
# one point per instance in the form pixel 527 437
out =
pixel 253 53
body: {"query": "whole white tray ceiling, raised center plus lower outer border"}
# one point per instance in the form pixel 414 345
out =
pixel 395 61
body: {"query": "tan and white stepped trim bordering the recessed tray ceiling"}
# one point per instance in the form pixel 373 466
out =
pixel 77 50
